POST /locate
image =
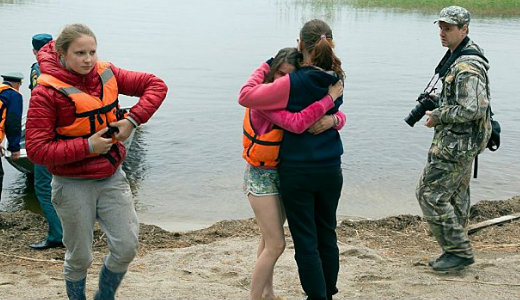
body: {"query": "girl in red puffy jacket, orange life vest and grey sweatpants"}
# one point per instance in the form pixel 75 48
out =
pixel 67 130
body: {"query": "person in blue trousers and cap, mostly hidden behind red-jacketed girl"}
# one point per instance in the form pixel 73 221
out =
pixel 42 176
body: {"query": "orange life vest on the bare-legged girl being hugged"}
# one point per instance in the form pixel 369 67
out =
pixel 260 150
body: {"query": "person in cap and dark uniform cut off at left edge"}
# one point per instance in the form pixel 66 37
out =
pixel 11 107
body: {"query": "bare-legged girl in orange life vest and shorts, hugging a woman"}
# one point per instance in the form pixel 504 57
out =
pixel 263 131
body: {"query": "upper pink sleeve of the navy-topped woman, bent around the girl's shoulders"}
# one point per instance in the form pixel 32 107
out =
pixel 268 96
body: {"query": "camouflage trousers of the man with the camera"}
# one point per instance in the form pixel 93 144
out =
pixel 443 194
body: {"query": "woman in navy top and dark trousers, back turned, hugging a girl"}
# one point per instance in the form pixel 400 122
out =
pixel 310 164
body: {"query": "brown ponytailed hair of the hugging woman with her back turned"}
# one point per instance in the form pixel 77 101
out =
pixel 316 37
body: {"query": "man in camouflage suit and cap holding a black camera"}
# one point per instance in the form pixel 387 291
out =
pixel 462 130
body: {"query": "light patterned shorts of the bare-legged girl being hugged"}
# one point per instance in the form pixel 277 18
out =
pixel 261 182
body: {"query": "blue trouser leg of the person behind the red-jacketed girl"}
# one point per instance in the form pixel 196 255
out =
pixel 42 188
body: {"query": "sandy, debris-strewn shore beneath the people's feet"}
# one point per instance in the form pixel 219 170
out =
pixel 380 259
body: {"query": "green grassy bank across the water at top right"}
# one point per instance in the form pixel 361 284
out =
pixel 476 7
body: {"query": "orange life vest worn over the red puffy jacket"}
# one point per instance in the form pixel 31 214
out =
pixel 92 113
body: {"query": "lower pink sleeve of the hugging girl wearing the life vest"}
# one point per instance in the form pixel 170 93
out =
pixel 298 122
